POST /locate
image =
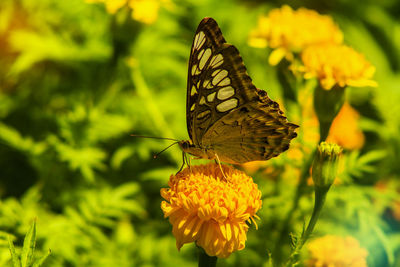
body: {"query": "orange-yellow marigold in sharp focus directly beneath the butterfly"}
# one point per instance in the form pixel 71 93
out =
pixel 205 207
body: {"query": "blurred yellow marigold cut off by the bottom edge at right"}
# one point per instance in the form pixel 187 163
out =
pixel 335 251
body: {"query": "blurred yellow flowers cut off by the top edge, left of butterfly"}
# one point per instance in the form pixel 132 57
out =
pixel 145 11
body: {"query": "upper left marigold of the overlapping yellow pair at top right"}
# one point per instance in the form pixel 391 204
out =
pixel 286 30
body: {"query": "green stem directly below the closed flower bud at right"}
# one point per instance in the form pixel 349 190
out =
pixel 320 196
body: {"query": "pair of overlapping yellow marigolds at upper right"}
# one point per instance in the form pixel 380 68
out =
pixel 318 41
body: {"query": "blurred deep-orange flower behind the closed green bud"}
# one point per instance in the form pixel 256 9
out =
pixel 345 130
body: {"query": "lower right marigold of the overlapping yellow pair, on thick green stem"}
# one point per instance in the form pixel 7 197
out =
pixel 337 65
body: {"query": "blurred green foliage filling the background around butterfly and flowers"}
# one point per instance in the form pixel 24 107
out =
pixel 76 81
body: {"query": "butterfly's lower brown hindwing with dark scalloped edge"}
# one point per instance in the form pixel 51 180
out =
pixel 254 131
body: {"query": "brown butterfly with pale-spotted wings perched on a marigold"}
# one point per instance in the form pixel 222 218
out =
pixel 228 118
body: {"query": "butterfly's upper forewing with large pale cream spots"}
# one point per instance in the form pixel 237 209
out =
pixel 214 68
